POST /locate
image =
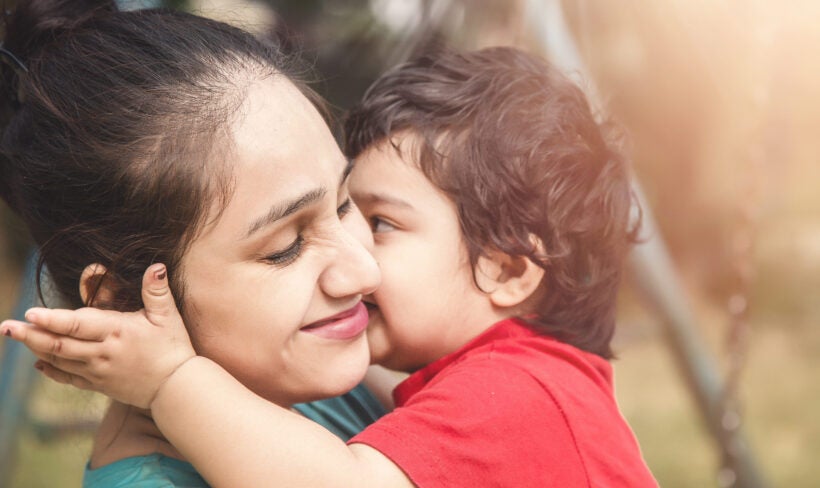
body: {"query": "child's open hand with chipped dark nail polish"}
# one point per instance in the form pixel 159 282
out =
pixel 127 356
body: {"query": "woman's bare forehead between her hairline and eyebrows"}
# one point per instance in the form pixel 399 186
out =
pixel 281 149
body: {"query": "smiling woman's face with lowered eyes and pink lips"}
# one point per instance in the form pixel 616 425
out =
pixel 273 283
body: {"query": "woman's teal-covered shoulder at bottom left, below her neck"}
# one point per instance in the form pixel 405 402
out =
pixel 148 471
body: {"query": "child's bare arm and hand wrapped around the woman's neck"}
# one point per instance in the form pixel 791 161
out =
pixel 233 437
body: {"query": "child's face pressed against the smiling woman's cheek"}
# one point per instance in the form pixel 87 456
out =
pixel 427 305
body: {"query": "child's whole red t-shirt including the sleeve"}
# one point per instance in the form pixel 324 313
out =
pixel 511 408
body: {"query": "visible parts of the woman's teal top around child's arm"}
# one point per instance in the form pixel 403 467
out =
pixel 345 416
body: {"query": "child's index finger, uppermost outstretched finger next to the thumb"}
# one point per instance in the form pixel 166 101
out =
pixel 88 324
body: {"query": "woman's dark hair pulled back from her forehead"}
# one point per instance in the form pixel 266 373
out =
pixel 109 133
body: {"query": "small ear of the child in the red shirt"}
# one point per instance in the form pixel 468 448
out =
pixel 508 280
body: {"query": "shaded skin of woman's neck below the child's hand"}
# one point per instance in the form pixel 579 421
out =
pixel 127 431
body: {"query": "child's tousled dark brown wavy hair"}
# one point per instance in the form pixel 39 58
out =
pixel 514 145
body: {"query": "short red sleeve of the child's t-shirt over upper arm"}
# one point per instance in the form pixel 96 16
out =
pixel 479 424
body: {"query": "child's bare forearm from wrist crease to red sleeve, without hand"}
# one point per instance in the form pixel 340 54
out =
pixel 235 438
